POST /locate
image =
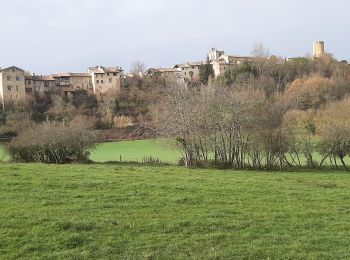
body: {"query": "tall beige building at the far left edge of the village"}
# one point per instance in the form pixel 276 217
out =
pixel 12 85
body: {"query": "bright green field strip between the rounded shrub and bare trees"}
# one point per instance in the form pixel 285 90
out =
pixel 135 151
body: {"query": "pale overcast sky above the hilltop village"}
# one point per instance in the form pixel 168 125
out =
pixel 47 36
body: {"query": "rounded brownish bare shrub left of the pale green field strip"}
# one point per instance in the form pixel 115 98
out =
pixel 49 143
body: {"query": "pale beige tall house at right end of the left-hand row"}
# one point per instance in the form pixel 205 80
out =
pixel 106 80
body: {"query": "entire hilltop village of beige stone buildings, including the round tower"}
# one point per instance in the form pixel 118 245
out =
pixel 20 86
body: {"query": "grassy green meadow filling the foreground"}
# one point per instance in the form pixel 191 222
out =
pixel 129 211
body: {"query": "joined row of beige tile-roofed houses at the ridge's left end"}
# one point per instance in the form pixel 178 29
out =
pixel 20 86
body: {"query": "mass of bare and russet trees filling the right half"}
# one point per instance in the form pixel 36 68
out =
pixel 263 115
